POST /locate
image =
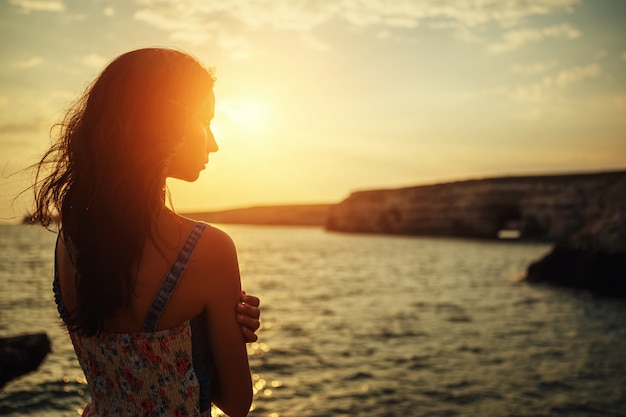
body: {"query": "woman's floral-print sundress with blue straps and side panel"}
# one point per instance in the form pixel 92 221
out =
pixel 150 373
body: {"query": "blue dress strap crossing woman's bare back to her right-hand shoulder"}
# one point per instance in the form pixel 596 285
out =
pixel 173 276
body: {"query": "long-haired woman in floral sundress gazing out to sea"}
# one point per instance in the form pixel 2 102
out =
pixel 151 299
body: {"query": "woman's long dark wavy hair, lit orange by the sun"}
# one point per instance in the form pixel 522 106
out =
pixel 104 176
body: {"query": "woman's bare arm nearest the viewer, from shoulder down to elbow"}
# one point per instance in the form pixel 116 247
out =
pixel 232 392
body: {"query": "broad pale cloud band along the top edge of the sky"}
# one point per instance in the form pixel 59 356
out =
pixel 198 21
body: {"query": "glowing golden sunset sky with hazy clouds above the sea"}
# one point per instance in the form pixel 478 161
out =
pixel 316 99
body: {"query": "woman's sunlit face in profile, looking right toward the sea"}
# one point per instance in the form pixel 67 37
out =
pixel 197 143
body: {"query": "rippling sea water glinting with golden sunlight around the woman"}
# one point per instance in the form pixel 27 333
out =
pixel 364 325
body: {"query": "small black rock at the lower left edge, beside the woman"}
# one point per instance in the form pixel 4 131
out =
pixel 22 354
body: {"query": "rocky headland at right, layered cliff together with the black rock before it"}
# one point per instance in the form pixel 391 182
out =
pixel 584 215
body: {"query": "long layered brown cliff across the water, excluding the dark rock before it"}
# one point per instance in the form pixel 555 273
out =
pixel 547 208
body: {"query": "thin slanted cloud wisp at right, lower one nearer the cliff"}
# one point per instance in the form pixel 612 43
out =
pixel 548 86
